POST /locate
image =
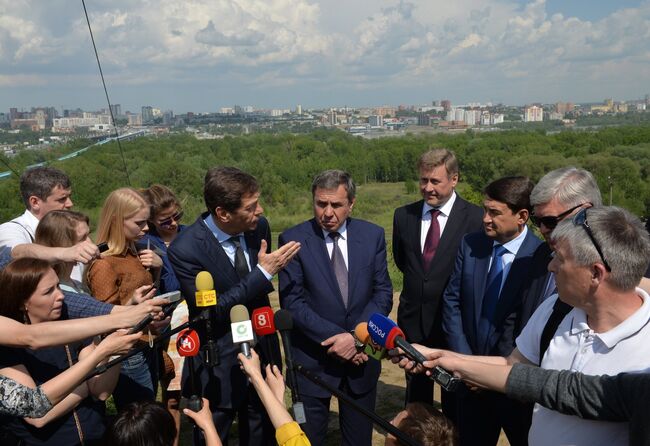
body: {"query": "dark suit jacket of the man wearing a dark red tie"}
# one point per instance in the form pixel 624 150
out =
pixel 419 314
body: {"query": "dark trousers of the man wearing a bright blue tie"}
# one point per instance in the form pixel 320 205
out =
pixel 481 416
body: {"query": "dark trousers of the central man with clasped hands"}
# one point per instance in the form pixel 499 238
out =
pixel 356 429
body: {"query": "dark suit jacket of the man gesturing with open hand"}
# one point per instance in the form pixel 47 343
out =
pixel 196 249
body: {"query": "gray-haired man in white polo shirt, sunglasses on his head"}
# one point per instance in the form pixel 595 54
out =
pixel 600 256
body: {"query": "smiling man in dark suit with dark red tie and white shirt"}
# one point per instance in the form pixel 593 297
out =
pixel 426 273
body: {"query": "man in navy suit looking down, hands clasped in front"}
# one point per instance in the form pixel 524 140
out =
pixel 338 279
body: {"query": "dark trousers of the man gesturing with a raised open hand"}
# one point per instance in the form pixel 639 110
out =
pixel 255 428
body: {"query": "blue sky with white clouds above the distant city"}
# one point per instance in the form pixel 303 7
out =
pixel 200 55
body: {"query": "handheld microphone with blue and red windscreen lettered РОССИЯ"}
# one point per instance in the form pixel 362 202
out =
pixel 386 333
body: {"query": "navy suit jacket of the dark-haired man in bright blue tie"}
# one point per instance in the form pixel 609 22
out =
pixel 463 297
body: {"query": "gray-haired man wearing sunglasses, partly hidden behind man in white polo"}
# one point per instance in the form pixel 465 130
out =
pixel 558 195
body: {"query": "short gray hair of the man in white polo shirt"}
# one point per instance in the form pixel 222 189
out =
pixel 622 238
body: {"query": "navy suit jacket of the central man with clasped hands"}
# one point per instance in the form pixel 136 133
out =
pixel 309 290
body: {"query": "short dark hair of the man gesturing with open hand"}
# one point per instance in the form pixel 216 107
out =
pixel 225 187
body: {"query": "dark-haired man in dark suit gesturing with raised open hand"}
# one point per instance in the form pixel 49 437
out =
pixel 232 242
